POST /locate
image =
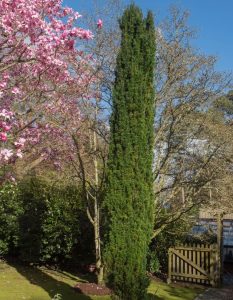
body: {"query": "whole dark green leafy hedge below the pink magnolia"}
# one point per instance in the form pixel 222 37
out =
pixel 44 223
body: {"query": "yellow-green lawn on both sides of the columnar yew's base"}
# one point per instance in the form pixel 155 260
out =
pixel 26 283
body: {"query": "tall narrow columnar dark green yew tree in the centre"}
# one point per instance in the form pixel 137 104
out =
pixel 129 194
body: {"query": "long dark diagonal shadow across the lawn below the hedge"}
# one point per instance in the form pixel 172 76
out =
pixel 51 285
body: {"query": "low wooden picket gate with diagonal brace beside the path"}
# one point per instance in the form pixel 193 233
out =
pixel 194 263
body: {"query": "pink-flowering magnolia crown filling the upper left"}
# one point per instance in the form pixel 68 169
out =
pixel 42 72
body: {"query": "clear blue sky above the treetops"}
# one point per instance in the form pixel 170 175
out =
pixel 212 18
